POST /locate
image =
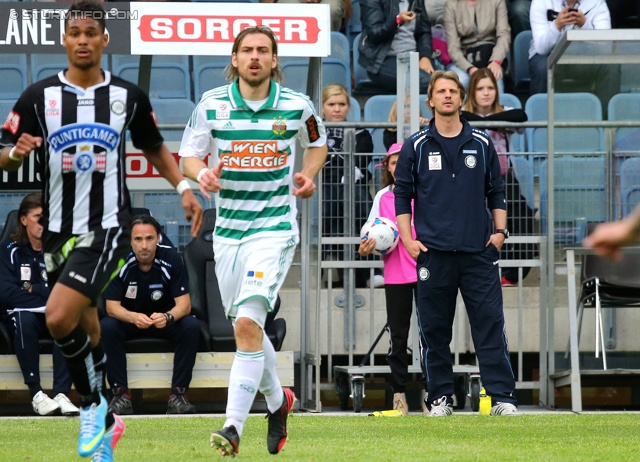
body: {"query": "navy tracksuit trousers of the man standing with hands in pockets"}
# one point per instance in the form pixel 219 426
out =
pixel 440 274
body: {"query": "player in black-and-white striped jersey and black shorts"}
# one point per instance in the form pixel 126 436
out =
pixel 76 122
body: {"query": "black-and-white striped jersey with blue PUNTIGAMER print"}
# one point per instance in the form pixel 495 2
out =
pixel 82 159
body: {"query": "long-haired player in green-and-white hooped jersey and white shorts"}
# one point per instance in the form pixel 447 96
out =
pixel 250 128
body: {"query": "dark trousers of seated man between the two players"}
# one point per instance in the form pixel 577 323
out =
pixel 184 334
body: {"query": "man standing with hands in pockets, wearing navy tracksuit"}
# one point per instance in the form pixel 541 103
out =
pixel 453 174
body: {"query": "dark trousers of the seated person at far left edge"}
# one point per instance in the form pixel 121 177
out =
pixel 29 328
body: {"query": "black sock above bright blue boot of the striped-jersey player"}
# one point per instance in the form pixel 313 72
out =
pixel 76 348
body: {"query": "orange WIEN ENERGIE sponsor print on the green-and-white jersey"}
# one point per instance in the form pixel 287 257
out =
pixel 254 155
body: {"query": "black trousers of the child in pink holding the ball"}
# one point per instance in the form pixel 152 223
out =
pixel 399 308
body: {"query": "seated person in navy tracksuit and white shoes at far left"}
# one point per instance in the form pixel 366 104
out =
pixel 23 293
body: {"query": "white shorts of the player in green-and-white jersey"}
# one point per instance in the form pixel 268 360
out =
pixel 256 268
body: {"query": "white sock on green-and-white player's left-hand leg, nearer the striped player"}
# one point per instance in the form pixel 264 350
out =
pixel 244 379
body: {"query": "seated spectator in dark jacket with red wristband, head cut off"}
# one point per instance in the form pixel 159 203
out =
pixel 391 27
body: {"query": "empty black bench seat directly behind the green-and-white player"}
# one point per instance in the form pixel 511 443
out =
pixel 205 295
